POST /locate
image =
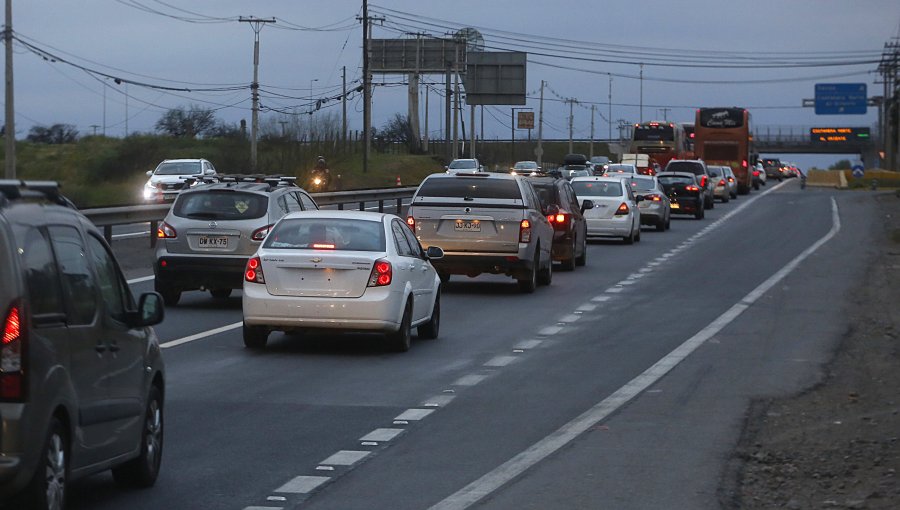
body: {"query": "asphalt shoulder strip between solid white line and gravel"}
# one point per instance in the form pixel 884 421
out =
pixel 656 453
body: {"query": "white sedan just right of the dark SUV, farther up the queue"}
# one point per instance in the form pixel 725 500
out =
pixel 615 212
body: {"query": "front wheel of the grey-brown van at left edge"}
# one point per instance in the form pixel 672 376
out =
pixel 142 471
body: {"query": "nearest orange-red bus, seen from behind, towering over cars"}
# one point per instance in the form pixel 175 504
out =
pixel 722 136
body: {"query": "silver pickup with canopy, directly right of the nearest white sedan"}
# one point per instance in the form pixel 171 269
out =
pixel 485 223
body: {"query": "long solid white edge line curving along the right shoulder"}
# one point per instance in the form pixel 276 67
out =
pixel 475 491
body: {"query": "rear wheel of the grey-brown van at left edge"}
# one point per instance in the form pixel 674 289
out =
pixel 47 489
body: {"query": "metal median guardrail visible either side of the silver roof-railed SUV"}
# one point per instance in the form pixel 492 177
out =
pixel 108 217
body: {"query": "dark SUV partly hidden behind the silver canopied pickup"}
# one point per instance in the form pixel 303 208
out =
pixel 569 226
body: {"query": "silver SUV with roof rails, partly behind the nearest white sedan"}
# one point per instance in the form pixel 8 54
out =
pixel 213 228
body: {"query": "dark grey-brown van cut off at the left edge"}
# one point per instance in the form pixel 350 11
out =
pixel 81 379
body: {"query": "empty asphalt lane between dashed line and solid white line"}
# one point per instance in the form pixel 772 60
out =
pixel 571 370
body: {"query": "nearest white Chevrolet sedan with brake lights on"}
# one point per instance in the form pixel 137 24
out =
pixel 342 271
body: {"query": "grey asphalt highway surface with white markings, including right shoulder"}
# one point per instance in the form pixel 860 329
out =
pixel 622 385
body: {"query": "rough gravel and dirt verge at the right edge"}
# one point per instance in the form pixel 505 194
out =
pixel 836 445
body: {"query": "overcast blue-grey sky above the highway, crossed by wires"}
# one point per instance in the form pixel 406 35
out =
pixel 689 49
